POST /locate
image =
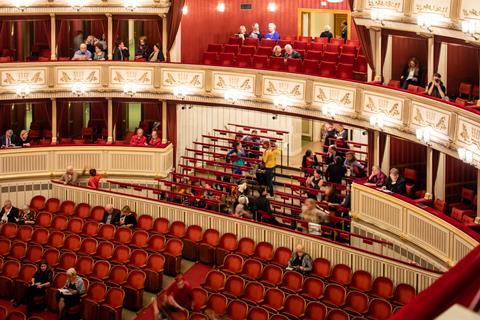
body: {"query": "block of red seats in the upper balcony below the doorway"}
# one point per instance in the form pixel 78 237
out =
pixel 319 57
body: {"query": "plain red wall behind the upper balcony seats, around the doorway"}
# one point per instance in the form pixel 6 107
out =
pixel 204 24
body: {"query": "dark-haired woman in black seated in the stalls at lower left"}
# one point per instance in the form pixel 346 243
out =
pixel 40 281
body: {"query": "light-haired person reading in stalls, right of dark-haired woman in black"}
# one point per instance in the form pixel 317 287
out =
pixel 71 292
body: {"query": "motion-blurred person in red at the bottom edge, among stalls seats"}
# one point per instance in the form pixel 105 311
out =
pixel 177 297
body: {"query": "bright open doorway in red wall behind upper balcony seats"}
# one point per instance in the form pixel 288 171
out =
pixel 313 22
